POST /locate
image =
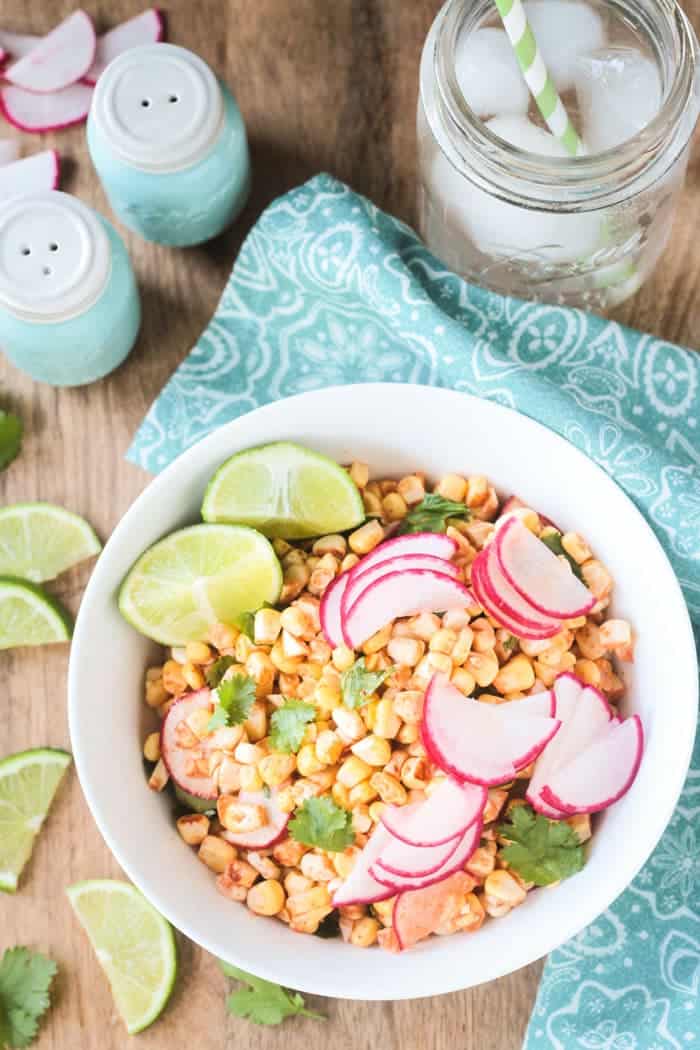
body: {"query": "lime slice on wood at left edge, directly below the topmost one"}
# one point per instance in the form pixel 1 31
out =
pixel 29 617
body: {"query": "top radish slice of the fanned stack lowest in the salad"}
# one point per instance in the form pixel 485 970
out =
pixel 451 810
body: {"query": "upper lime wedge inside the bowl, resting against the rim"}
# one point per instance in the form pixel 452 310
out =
pixel 284 491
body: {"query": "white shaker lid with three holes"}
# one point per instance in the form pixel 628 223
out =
pixel 55 257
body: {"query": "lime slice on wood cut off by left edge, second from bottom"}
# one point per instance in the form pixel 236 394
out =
pixel 29 783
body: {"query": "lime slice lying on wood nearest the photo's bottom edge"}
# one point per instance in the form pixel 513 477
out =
pixel 135 947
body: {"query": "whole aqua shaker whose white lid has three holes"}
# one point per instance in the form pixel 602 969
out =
pixel 70 309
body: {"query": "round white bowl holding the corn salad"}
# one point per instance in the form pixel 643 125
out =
pixel 396 429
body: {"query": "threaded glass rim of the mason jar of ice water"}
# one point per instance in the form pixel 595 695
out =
pixel 562 183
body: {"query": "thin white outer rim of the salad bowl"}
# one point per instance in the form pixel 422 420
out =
pixel 620 880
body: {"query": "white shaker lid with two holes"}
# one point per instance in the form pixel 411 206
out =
pixel 160 108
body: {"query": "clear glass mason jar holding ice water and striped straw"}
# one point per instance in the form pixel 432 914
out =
pixel 585 232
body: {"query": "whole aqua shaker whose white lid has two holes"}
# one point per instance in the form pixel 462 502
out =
pixel 169 144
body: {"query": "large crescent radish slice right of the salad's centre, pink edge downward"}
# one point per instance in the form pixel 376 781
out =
pixel 480 743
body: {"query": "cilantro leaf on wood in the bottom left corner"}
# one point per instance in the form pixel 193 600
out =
pixel 26 978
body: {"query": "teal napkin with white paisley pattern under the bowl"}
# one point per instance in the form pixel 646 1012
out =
pixel 328 289
